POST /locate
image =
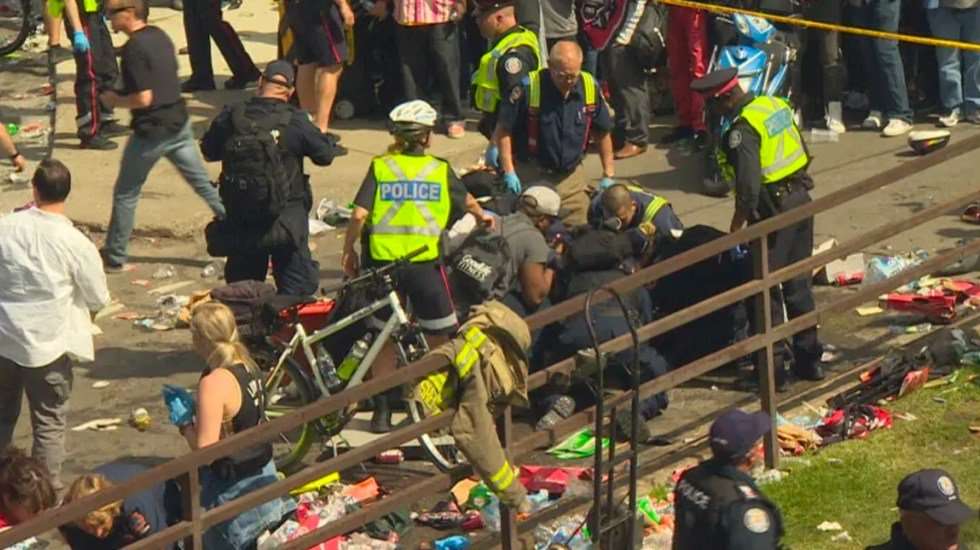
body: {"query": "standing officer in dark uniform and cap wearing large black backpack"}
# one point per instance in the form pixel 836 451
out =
pixel 261 144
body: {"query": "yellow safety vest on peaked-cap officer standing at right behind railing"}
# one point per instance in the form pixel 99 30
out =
pixel 781 153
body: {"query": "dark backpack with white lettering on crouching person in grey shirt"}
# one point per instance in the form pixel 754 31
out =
pixel 480 269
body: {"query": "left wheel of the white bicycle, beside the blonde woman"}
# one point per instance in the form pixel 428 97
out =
pixel 285 391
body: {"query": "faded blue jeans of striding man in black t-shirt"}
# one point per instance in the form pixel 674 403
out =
pixel 139 157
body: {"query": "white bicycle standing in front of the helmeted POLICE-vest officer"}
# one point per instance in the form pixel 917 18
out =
pixel 290 383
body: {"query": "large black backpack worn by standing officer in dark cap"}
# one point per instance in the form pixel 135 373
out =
pixel 255 184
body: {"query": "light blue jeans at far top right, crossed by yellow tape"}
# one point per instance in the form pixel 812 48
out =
pixel 959 84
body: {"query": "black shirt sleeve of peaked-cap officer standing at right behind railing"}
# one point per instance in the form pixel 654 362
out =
pixel 742 146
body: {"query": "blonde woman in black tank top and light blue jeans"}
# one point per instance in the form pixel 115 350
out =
pixel 229 400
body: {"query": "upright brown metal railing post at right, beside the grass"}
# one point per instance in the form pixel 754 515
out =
pixel 764 358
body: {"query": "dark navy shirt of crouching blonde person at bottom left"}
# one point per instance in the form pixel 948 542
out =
pixel 143 513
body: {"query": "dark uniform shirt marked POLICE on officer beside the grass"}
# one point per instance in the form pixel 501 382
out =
pixel 717 502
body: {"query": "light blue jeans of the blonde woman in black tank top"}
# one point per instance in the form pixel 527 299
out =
pixel 241 531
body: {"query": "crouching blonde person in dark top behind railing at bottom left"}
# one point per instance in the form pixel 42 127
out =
pixel 123 522
